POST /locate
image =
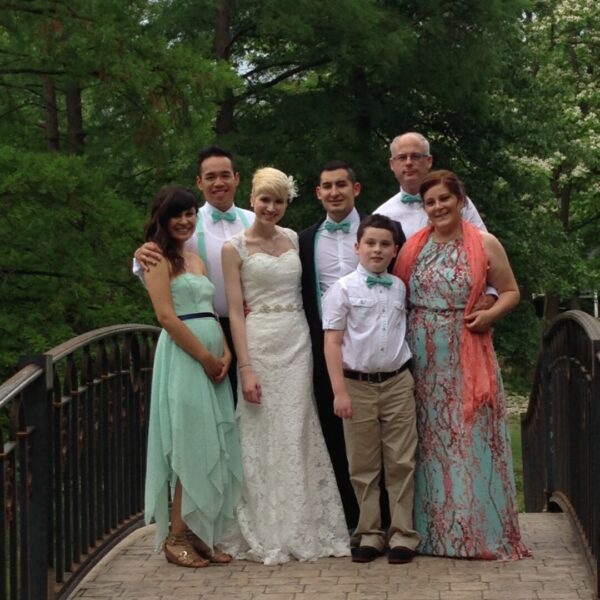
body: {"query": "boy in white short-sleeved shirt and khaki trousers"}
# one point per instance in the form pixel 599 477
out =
pixel 367 358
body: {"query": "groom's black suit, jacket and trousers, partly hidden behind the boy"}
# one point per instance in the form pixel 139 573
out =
pixel 331 425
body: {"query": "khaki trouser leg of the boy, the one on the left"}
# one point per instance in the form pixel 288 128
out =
pixel 363 447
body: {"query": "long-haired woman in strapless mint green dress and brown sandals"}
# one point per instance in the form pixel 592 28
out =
pixel 193 444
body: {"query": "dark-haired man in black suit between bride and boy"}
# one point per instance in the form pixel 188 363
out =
pixel 327 253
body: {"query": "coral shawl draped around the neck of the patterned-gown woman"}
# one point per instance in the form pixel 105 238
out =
pixel 477 359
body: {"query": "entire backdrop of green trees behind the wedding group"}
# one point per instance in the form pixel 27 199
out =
pixel 507 91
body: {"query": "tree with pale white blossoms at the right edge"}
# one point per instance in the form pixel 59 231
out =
pixel 560 151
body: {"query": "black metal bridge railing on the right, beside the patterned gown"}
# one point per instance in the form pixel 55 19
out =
pixel 561 429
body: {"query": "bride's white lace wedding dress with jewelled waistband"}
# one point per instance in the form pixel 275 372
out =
pixel 290 506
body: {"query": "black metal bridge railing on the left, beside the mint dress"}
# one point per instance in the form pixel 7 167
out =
pixel 73 426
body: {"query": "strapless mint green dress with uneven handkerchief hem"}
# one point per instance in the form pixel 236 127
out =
pixel 192 434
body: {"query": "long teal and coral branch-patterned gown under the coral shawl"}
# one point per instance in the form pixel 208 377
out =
pixel 465 502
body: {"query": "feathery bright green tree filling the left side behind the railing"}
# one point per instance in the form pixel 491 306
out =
pixel 98 110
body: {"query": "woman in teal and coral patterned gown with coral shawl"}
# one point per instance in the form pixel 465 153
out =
pixel 465 501
